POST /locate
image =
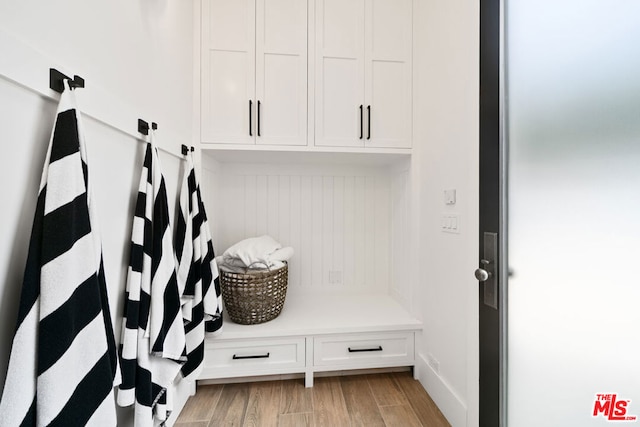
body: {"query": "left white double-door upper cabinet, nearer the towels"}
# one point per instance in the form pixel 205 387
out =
pixel 254 72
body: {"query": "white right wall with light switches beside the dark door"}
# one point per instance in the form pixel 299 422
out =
pixel 446 157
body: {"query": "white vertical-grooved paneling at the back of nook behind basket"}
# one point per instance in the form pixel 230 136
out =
pixel 338 219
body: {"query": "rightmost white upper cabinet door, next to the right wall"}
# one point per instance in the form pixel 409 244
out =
pixel 388 73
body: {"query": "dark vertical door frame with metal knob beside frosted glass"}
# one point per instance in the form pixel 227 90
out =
pixel 490 298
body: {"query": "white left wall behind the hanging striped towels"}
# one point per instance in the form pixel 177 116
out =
pixel 136 57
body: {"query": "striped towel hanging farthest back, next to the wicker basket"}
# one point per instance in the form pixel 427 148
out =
pixel 197 272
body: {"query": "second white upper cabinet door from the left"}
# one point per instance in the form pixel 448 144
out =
pixel 281 72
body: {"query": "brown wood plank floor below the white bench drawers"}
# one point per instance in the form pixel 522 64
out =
pixel 385 400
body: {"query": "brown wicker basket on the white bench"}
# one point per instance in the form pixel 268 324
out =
pixel 254 297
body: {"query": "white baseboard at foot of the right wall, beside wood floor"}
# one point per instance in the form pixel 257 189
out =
pixel 450 404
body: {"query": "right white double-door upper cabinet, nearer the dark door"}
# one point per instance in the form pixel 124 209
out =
pixel 363 73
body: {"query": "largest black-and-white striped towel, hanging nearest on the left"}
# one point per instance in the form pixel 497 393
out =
pixel 63 363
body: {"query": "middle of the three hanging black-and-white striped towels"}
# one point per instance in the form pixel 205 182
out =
pixel 153 339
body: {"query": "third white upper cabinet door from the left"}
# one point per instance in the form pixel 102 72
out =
pixel 339 92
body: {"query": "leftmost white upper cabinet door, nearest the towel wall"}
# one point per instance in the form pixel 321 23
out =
pixel 228 71
